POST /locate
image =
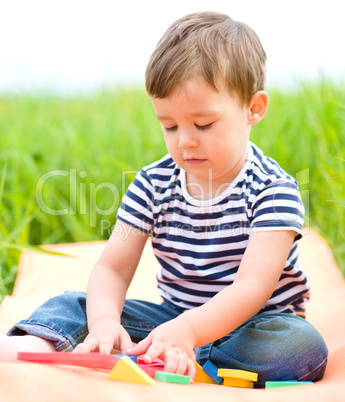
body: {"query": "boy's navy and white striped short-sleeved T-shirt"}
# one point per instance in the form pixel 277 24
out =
pixel 200 243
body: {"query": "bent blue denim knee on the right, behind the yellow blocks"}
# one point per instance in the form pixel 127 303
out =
pixel 276 346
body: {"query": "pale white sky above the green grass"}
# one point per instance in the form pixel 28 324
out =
pixel 73 45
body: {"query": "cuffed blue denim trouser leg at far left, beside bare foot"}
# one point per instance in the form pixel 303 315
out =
pixel 61 319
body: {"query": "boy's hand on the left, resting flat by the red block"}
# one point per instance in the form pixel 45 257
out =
pixel 104 336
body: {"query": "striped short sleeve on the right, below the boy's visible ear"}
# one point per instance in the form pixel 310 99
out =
pixel 278 207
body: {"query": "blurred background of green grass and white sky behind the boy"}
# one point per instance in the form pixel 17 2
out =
pixel 76 123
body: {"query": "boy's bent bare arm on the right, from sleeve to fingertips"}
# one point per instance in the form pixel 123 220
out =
pixel 256 279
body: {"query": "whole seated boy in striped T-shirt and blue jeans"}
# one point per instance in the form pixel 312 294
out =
pixel 225 223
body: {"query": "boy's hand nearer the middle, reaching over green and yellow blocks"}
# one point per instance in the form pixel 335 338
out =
pixel 172 342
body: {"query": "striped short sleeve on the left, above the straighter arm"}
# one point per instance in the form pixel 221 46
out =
pixel 136 205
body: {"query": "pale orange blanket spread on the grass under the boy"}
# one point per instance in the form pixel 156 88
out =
pixel 41 276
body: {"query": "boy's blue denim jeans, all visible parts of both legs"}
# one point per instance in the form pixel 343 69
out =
pixel 277 346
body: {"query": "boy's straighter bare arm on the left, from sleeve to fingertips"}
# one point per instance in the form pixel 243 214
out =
pixel 107 287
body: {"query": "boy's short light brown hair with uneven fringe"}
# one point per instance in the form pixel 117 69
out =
pixel 223 51
